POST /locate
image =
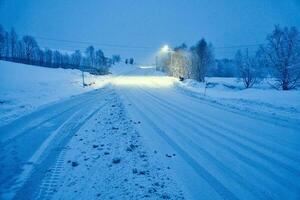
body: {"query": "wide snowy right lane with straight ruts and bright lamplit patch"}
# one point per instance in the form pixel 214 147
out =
pixel 219 153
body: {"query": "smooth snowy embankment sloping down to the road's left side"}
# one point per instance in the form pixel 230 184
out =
pixel 24 88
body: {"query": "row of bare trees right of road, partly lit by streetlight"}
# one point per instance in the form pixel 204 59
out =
pixel 278 59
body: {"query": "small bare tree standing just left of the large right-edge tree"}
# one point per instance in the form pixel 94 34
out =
pixel 248 68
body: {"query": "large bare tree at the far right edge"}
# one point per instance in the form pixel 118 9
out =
pixel 282 56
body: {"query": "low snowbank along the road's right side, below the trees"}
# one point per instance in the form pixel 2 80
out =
pixel 262 98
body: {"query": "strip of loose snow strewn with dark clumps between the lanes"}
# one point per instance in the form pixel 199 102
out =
pixel 97 178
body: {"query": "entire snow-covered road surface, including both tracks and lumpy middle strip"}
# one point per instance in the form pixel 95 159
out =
pixel 143 137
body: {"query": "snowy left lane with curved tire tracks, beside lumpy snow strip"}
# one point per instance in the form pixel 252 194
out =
pixel 35 140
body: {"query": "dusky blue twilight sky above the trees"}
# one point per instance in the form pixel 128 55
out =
pixel 138 28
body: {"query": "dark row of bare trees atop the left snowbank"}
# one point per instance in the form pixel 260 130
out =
pixel 26 50
